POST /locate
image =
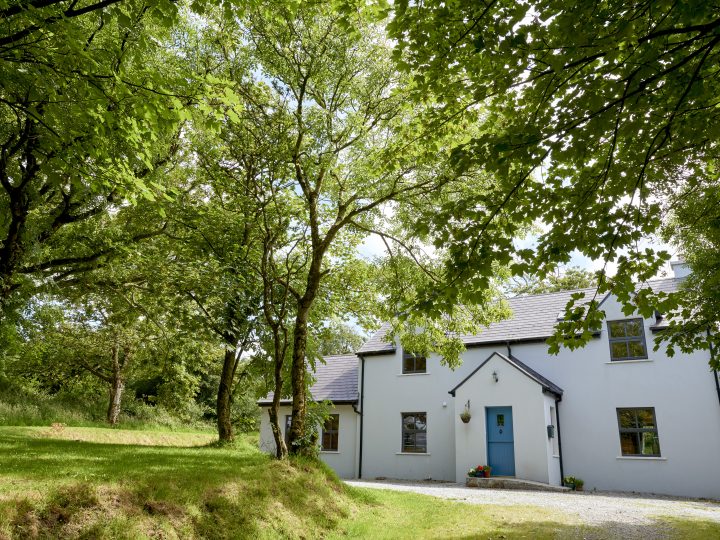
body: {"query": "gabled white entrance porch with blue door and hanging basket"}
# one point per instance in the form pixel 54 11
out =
pixel 512 425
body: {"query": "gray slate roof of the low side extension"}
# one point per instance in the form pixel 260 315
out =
pixel 335 380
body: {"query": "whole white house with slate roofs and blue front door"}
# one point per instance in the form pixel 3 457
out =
pixel 616 413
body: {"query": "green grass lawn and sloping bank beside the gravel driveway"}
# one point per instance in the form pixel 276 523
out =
pixel 103 483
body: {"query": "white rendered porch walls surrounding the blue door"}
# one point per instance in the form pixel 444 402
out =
pixel 529 408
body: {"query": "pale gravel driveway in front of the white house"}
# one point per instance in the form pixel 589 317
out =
pixel 622 515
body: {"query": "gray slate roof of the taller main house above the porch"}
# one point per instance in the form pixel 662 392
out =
pixel 534 318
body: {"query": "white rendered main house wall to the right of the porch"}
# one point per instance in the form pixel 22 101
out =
pixel 682 391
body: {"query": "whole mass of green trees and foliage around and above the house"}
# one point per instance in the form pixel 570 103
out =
pixel 189 188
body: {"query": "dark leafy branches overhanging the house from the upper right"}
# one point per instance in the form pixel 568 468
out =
pixel 596 119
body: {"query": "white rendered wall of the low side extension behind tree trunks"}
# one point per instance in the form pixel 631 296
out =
pixel 344 461
